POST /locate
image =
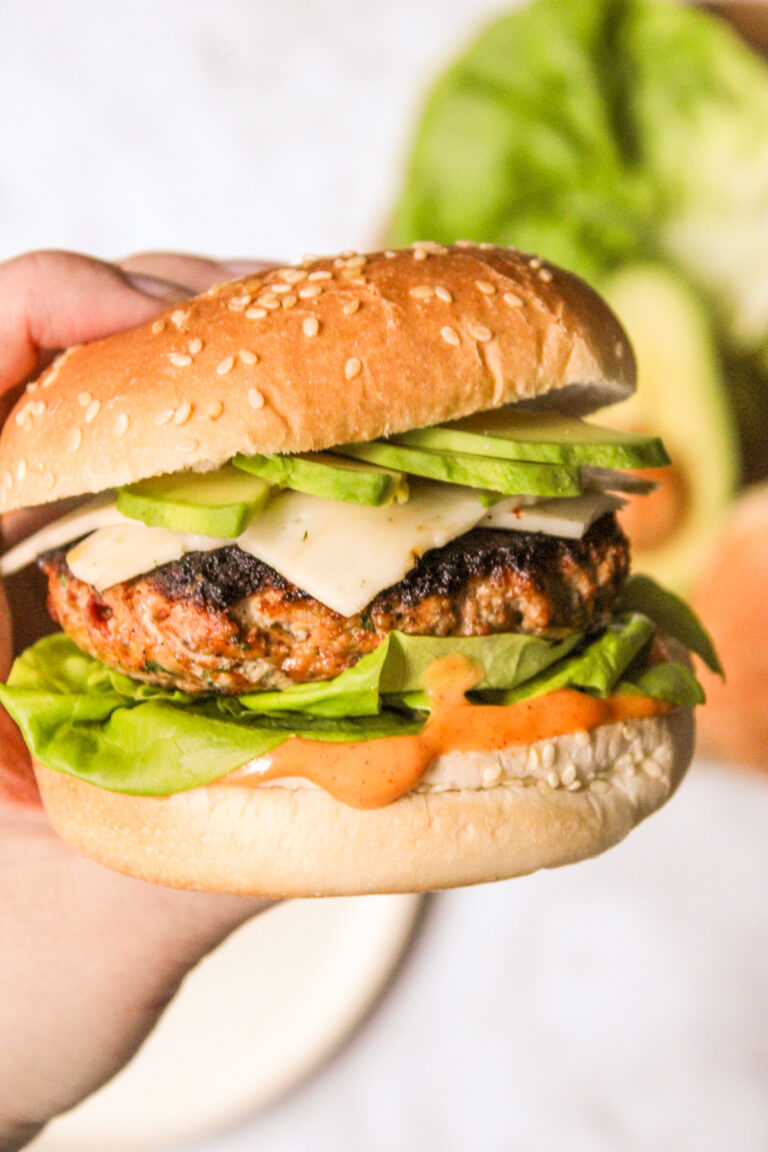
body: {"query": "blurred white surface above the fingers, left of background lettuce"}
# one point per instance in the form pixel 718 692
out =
pixel 233 127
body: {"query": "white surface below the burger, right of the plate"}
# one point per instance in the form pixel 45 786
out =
pixel 618 1005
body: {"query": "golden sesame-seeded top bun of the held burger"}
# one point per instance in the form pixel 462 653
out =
pixel 303 359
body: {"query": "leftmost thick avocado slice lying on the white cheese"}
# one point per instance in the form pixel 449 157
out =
pixel 219 504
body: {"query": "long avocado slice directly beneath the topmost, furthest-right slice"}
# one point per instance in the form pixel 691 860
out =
pixel 512 478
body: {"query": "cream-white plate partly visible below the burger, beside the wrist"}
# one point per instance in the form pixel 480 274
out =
pixel 260 1014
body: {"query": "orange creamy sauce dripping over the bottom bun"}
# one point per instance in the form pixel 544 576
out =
pixel 377 772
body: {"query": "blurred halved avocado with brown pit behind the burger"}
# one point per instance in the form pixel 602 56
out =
pixel 681 396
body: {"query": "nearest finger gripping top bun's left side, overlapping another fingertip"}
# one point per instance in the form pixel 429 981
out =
pixel 52 300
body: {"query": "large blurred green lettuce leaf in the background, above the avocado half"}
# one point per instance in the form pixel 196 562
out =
pixel 602 133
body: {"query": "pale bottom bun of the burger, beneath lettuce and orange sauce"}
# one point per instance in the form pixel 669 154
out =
pixel 299 842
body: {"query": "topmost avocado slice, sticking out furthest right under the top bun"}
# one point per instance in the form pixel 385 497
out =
pixel 545 437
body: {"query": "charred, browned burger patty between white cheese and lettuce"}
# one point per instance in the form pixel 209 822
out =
pixel 226 623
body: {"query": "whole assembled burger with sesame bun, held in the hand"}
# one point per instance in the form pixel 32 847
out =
pixel 345 603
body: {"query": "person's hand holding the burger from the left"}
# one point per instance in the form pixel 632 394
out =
pixel 89 959
